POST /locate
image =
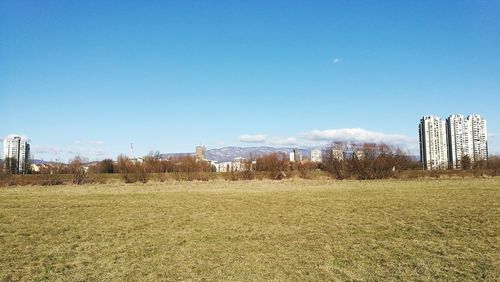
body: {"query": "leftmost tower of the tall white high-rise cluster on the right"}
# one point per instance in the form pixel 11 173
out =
pixel 433 143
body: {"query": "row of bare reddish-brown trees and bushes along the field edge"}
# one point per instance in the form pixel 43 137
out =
pixel 341 160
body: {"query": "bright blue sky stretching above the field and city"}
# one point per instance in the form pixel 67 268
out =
pixel 89 78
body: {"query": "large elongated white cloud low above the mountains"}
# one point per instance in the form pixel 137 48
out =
pixel 357 135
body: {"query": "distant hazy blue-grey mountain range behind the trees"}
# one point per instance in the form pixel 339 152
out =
pixel 230 153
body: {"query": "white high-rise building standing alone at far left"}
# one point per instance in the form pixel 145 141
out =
pixel 16 154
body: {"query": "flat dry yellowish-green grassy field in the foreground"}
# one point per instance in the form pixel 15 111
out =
pixel 256 230
